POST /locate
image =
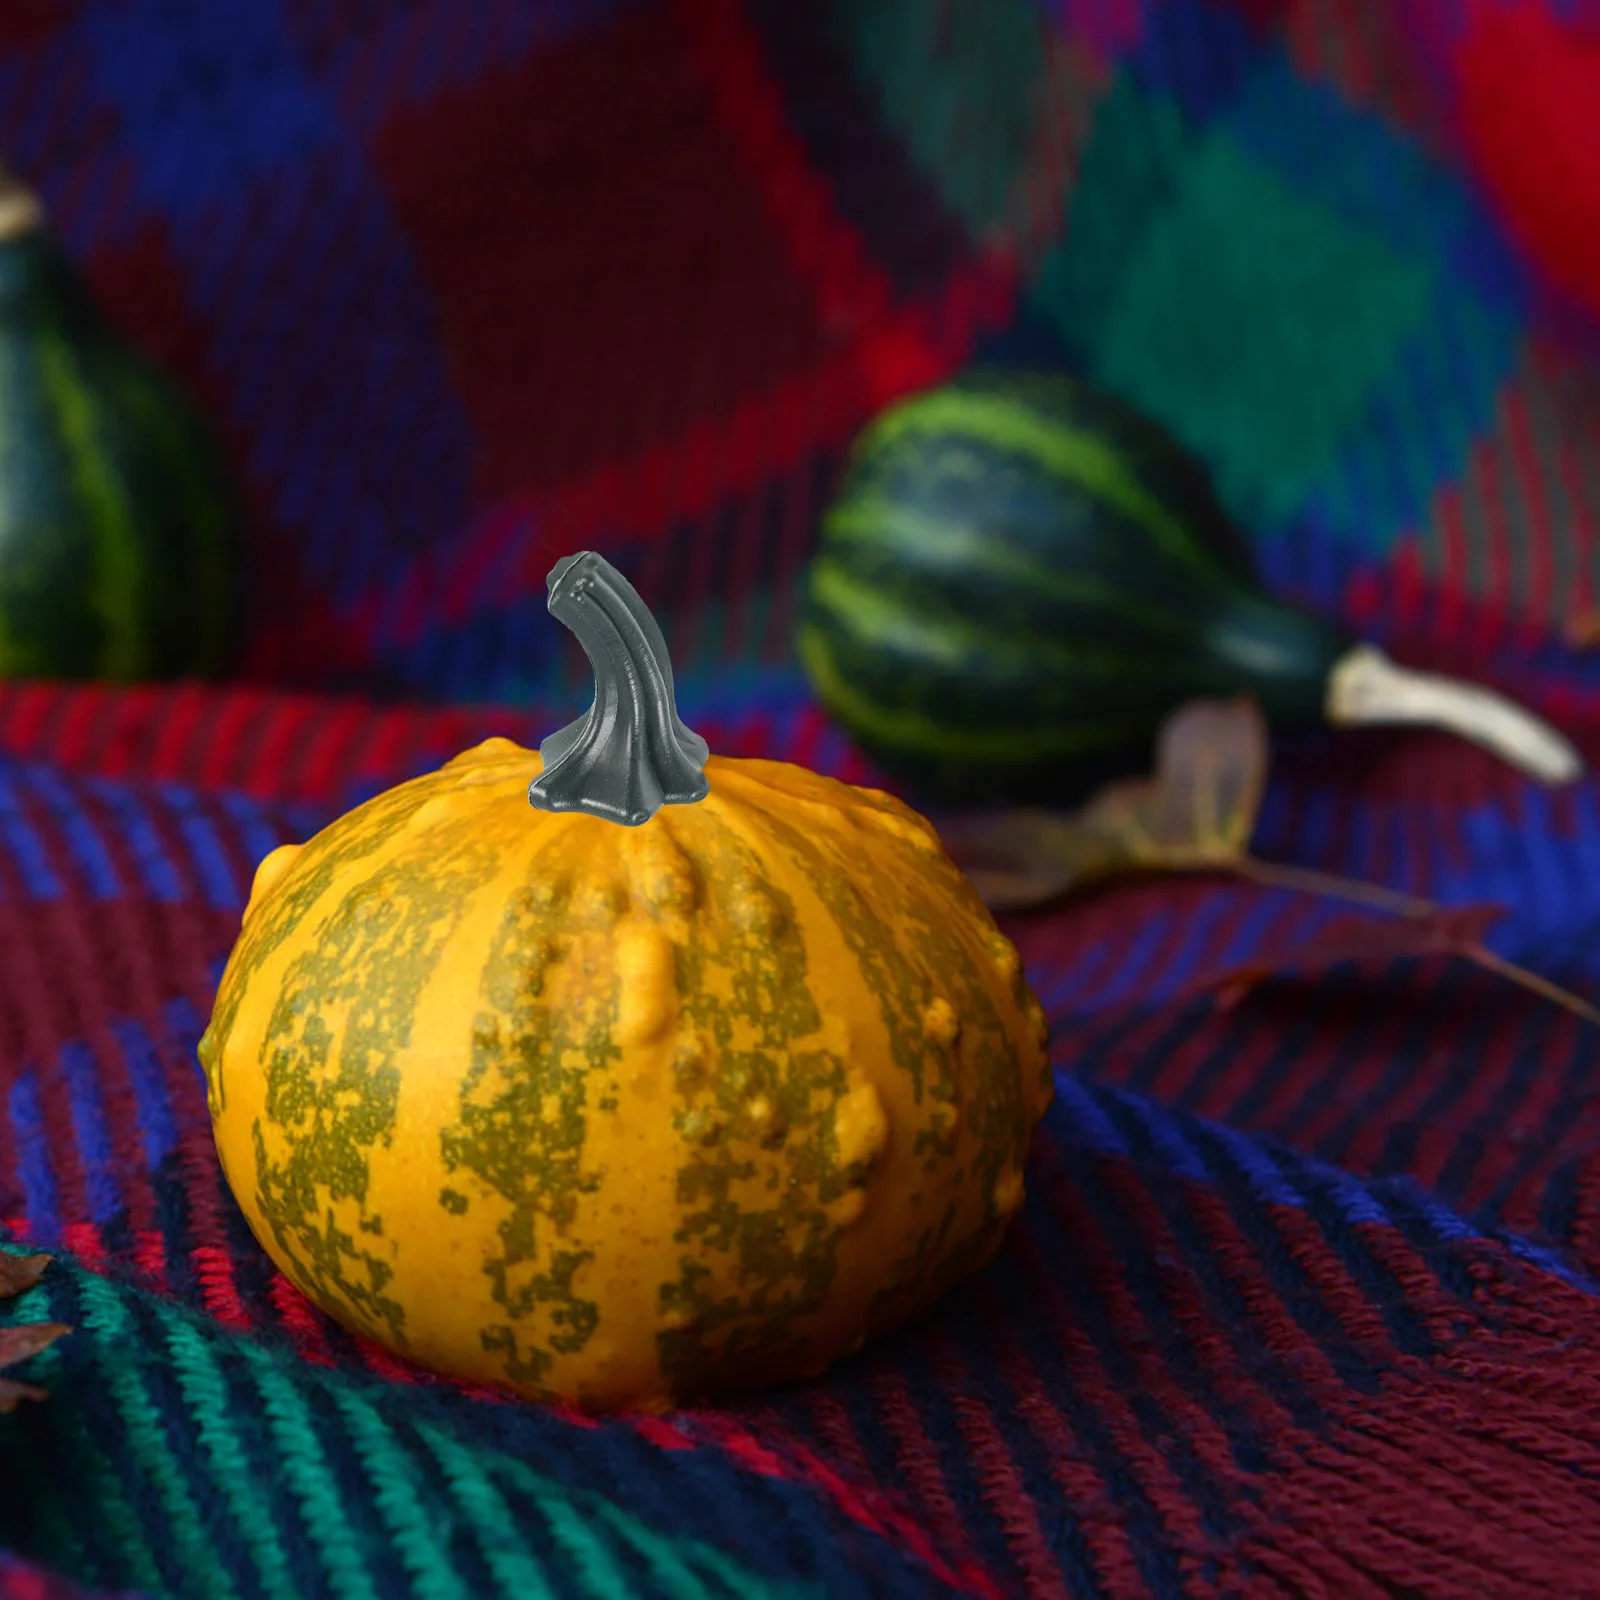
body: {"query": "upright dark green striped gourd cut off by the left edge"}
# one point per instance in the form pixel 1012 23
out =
pixel 118 529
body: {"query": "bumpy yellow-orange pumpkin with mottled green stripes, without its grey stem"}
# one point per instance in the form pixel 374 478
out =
pixel 625 1116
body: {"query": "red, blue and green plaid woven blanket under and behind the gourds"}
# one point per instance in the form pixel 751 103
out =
pixel 1305 1298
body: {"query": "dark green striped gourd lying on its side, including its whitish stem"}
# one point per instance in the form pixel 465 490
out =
pixel 1022 578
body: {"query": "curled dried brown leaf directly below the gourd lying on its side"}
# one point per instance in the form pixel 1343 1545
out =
pixel 1196 814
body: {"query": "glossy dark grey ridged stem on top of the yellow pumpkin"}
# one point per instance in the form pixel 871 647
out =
pixel 630 754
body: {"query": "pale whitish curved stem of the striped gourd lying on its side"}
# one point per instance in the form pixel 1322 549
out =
pixel 1367 689
